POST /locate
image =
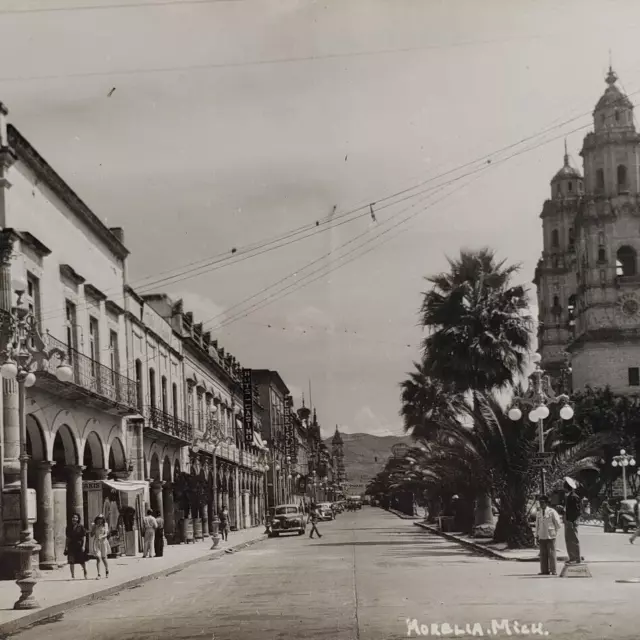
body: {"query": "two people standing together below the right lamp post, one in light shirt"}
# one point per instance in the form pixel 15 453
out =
pixel 548 524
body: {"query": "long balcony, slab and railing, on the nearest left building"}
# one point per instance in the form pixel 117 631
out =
pixel 93 384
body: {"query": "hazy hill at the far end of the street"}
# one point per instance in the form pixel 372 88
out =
pixel 365 455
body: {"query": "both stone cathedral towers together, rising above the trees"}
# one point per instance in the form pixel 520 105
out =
pixel 597 318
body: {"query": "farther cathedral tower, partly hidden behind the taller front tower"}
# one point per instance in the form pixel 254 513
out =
pixel 555 275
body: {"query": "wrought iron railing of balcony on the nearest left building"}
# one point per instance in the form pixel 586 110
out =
pixel 93 376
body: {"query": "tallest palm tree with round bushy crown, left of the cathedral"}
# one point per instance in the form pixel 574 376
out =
pixel 479 332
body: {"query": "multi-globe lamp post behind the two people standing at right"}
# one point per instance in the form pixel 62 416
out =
pixel 540 396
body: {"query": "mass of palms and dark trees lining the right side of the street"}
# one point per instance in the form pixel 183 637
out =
pixel 456 401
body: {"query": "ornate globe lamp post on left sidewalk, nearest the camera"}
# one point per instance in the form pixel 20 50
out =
pixel 24 353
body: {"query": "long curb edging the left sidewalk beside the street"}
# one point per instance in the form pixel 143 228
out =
pixel 57 610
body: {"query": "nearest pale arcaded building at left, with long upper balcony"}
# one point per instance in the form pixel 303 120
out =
pixel 73 268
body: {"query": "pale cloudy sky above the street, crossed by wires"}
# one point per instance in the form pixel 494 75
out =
pixel 206 126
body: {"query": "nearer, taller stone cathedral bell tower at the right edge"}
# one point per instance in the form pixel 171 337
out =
pixel 606 345
